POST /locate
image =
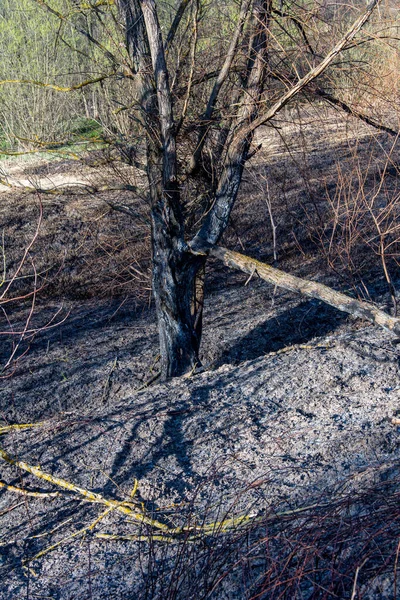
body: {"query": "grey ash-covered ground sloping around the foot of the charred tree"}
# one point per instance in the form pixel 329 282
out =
pixel 309 423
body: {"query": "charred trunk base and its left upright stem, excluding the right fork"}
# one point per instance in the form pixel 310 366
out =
pixel 174 268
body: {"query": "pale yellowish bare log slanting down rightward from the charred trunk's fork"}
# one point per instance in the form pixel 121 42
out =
pixel 313 289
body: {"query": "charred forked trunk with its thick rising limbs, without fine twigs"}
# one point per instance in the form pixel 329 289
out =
pixel 179 258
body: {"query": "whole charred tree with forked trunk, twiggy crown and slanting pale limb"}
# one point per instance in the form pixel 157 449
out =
pixel 194 109
